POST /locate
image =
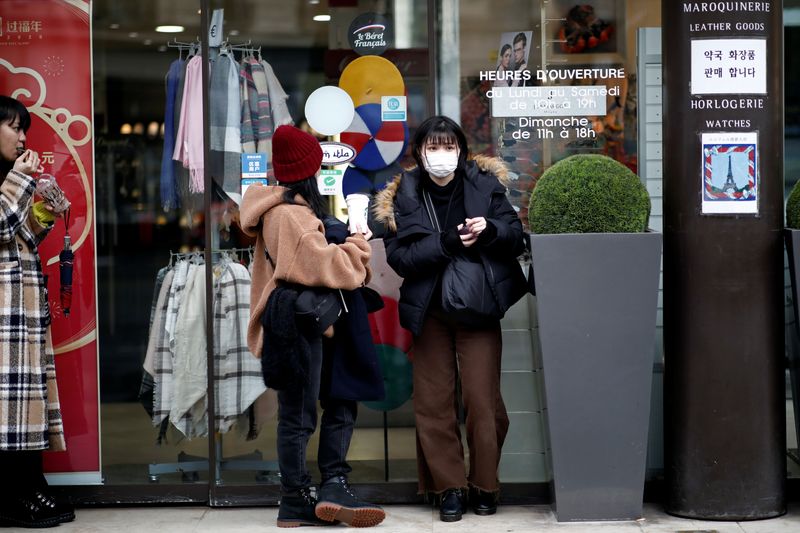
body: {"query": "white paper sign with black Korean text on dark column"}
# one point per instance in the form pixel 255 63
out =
pixel 729 66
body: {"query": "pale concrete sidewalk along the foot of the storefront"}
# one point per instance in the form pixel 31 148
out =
pixel 406 519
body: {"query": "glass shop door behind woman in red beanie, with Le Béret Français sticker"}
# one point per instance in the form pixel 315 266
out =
pixel 301 47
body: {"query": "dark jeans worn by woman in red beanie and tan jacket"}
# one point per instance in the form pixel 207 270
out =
pixel 297 420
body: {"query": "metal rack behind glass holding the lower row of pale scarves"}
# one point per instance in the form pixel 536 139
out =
pixel 190 465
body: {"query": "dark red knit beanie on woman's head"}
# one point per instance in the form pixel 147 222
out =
pixel 296 155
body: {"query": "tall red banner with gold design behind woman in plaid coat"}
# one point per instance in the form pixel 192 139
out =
pixel 45 62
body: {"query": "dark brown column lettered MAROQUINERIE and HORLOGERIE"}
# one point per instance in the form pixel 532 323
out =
pixel 723 278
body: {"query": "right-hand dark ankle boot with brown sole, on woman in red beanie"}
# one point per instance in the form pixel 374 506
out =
pixel 337 501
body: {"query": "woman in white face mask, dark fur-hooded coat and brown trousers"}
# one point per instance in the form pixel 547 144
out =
pixel 448 206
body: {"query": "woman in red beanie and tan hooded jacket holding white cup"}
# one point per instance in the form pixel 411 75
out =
pixel 291 248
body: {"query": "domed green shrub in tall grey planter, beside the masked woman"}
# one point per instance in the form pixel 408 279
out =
pixel 589 194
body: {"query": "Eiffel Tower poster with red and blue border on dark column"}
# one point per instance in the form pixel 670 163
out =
pixel 730 172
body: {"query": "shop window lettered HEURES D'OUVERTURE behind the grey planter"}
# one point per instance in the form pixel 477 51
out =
pixel 540 81
